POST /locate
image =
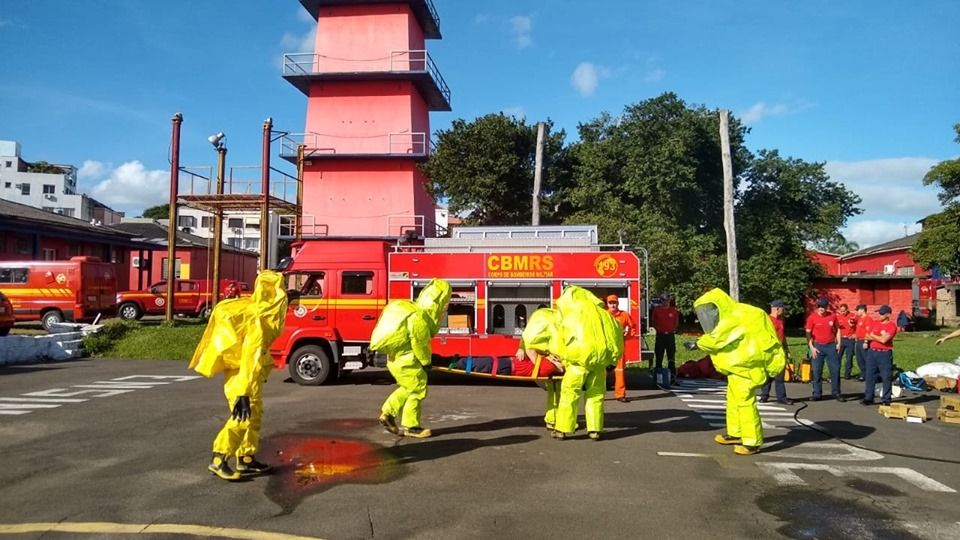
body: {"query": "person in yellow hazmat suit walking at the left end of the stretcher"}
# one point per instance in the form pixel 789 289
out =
pixel 403 332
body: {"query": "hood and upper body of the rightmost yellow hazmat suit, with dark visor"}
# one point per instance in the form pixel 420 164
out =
pixel 743 340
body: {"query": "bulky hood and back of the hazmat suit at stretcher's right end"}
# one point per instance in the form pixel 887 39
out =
pixel 590 335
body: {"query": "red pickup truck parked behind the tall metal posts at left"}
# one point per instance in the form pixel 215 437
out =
pixel 191 298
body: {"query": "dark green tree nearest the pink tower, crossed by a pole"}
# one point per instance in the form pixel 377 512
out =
pixel 485 168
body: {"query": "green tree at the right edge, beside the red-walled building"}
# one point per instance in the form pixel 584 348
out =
pixel 939 241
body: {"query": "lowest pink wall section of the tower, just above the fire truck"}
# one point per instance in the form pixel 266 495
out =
pixel 367 198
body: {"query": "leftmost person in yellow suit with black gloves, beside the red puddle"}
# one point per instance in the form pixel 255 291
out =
pixel 236 343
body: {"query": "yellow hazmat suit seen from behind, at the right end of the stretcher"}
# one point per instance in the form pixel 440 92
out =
pixel 592 340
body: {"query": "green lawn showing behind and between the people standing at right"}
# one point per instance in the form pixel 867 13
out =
pixel 910 349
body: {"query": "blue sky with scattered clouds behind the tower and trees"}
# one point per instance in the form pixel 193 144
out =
pixel 868 86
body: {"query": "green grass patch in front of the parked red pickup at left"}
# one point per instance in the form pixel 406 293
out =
pixel 148 341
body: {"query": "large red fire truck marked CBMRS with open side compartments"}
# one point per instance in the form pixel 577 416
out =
pixel 499 276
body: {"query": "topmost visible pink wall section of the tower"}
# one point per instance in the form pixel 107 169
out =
pixel 365 37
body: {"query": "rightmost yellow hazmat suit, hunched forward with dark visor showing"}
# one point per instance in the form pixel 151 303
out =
pixel 744 346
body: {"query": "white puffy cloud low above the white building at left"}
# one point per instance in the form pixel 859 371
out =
pixel 131 188
